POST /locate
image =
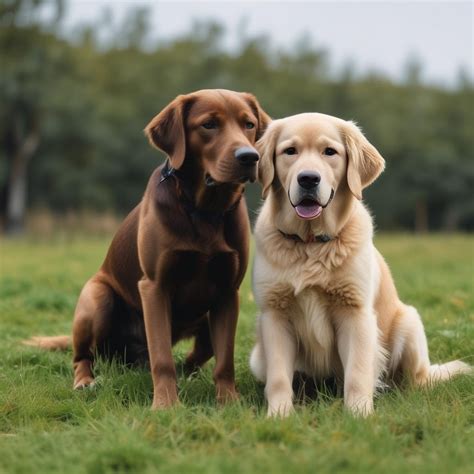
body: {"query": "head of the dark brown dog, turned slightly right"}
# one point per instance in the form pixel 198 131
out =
pixel 212 131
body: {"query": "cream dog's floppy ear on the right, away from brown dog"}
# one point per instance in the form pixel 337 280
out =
pixel 364 162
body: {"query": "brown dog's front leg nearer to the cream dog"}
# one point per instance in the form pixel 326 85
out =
pixel 223 324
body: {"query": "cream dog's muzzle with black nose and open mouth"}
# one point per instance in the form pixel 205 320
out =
pixel 306 197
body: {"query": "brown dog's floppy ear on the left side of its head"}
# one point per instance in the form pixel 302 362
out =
pixel 166 131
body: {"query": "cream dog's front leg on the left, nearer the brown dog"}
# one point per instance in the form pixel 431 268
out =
pixel 280 351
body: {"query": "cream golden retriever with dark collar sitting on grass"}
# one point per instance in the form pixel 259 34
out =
pixel 328 303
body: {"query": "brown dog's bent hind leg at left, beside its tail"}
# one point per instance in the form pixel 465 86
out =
pixel 90 328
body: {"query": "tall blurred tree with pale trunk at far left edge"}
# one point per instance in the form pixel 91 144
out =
pixel 29 60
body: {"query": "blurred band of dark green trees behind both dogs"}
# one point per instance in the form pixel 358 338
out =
pixel 73 107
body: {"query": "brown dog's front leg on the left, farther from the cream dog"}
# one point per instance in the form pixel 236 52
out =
pixel 157 317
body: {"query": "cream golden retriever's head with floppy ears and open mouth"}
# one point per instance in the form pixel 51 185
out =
pixel 313 157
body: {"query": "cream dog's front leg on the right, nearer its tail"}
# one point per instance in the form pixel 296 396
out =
pixel 358 348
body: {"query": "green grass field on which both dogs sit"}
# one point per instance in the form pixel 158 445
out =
pixel 45 427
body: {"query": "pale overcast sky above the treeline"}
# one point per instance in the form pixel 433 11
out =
pixel 377 35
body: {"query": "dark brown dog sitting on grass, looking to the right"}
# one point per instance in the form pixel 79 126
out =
pixel 174 267
